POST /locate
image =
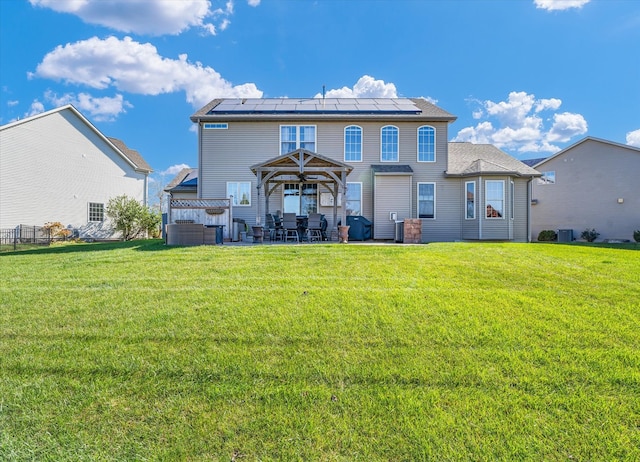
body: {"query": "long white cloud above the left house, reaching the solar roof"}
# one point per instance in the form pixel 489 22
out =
pixel 135 67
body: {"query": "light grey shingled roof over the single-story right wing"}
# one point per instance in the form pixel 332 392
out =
pixel 467 159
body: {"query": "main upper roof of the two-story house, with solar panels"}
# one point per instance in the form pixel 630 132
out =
pixel 324 108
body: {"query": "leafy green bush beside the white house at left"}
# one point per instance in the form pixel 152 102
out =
pixel 131 218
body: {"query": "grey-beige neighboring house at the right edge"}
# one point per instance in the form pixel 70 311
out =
pixel 592 184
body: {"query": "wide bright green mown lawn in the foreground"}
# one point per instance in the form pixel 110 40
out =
pixel 136 351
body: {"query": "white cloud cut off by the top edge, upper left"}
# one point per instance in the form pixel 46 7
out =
pixel 155 17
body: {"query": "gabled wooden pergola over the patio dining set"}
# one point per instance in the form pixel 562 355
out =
pixel 302 166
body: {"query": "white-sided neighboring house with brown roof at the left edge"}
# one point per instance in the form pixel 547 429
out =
pixel 56 166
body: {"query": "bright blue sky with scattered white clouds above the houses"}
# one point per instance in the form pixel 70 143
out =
pixel 530 76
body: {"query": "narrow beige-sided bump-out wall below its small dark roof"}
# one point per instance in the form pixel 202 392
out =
pixel 392 194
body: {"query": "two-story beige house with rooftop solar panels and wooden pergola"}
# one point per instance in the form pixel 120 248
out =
pixel 384 159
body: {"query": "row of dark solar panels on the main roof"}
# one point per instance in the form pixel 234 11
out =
pixel 315 105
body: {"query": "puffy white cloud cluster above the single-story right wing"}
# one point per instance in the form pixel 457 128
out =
pixel 519 124
